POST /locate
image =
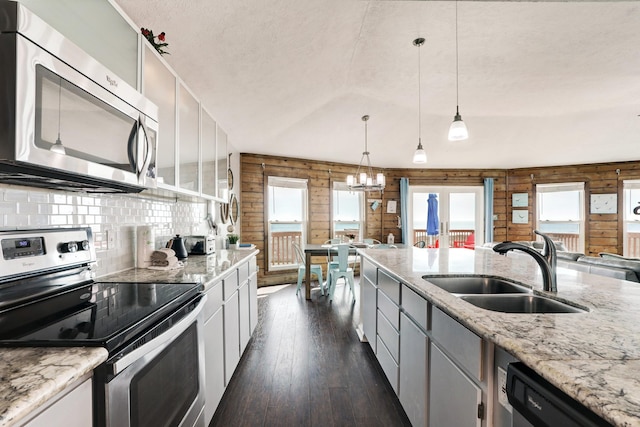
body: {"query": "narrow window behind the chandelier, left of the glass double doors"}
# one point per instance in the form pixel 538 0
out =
pixel 348 213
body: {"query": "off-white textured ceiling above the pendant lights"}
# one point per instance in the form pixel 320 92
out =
pixel 540 83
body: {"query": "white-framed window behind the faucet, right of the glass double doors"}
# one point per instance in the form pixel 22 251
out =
pixel 560 213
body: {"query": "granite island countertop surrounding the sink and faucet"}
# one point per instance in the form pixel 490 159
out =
pixel 593 357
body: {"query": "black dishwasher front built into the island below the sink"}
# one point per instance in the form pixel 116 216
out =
pixel 538 403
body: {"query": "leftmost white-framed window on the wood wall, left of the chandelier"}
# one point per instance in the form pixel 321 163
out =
pixel 287 220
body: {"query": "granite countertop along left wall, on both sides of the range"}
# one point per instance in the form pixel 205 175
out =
pixel 30 376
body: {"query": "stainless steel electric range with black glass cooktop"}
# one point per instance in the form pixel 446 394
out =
pixel 153 331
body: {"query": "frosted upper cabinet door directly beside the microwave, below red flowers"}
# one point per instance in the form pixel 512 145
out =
pixel 159 85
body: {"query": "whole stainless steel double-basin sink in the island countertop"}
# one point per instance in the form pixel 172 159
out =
pixel 497 294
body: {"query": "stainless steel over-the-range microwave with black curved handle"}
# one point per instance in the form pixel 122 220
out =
pixel 66 121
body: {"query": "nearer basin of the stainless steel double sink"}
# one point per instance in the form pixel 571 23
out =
pixel 519 303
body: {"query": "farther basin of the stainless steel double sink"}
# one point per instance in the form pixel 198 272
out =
pixel 477 285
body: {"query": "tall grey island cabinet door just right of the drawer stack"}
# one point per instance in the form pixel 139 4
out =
pixel 414 371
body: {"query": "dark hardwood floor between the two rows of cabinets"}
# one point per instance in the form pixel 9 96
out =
pixel 305 366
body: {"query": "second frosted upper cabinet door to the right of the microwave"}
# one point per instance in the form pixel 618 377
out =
pixel 188 140
